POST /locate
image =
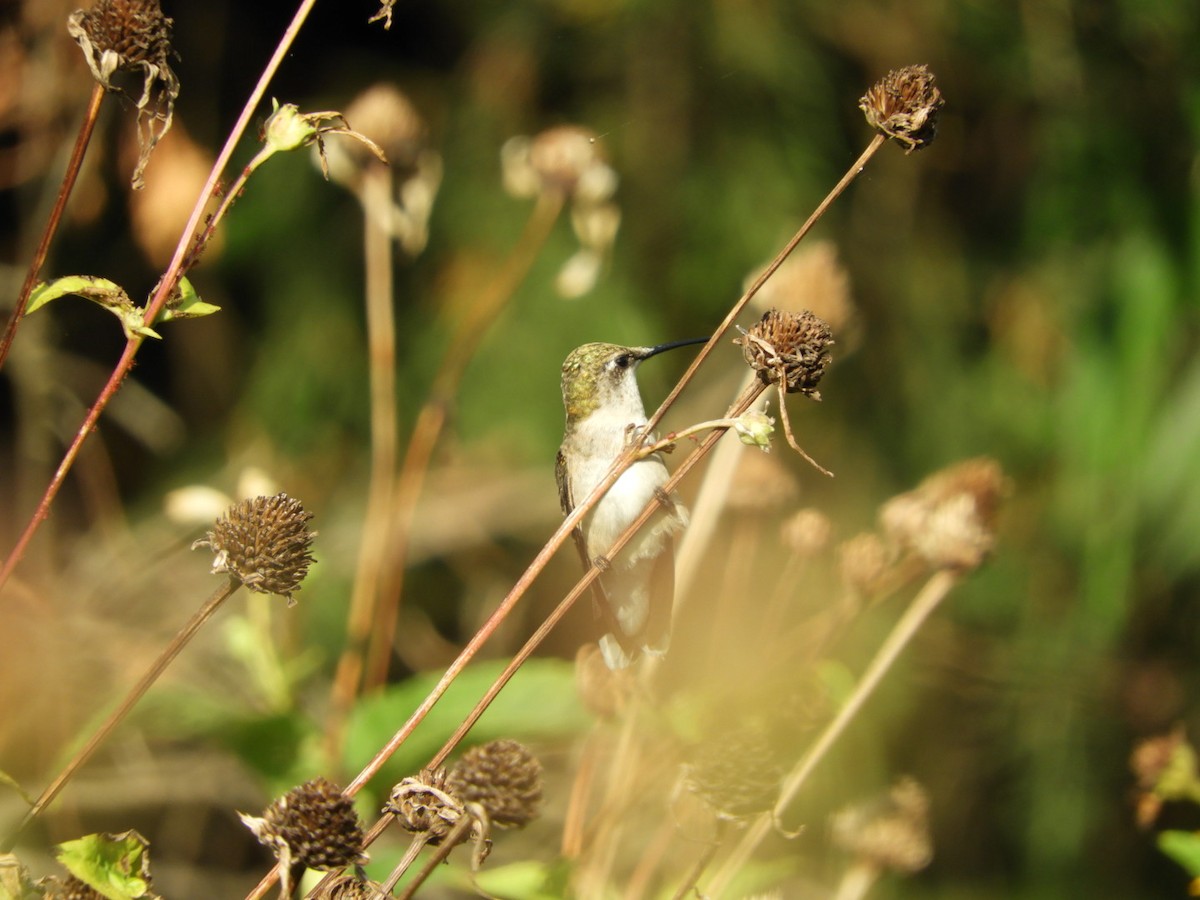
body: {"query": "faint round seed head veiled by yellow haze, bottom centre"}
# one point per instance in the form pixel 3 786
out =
pixel 737 773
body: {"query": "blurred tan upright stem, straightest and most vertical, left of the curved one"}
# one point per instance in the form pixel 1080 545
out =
pixel 375 541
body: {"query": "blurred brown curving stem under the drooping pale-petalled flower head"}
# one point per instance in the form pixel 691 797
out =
pixel 433 417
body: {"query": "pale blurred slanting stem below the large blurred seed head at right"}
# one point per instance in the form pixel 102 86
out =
pixel 910 623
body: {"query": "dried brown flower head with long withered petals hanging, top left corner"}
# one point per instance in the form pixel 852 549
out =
pixel 133 37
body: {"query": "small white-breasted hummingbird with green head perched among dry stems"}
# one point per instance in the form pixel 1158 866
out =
pixel 604 416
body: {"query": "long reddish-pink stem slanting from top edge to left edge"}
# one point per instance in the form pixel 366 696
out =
pixel 166 287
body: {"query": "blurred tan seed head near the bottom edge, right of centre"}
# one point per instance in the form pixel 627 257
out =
pixel 892 833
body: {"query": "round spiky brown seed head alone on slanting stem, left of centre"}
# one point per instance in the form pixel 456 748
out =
pixel 265 544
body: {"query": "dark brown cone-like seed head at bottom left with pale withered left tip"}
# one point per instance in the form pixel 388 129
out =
pixel 314 826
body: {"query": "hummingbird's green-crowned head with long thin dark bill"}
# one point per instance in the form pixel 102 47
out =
pixel 602 375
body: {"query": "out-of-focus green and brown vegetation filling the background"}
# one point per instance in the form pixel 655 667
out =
pixel 1027 290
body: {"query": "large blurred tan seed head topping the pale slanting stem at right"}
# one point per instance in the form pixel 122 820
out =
pixel 950 519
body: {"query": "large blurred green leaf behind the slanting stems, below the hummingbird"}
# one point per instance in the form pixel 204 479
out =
pixel 541 703
